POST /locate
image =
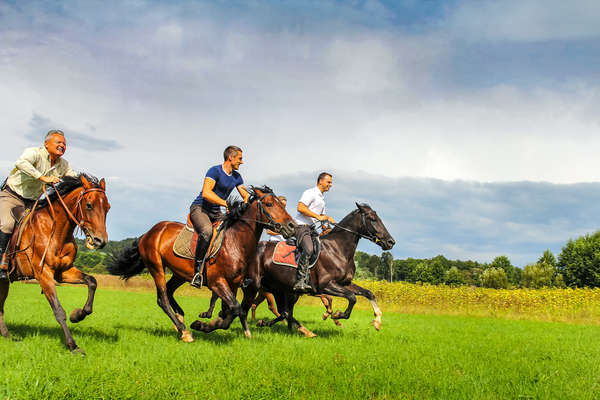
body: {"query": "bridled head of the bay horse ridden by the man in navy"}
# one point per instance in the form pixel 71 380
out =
pixel 272 213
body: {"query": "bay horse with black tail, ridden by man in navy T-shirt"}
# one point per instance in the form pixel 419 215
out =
pixel 224 273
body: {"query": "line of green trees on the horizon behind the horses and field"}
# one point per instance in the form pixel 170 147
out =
pixel 578 265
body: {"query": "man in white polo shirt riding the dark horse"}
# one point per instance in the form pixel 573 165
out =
pixel 311 208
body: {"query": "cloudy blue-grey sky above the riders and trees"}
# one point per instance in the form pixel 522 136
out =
pixel 470 126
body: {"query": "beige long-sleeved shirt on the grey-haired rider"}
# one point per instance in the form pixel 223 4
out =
pixel 33 163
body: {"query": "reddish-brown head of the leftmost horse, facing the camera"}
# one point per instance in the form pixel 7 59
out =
pixel 91 211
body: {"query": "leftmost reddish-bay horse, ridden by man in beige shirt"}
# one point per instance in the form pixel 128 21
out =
pixel 47 248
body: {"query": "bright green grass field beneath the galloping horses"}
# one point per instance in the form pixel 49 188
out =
pixel 133 352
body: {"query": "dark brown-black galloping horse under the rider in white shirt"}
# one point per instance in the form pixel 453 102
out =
pixel 332 274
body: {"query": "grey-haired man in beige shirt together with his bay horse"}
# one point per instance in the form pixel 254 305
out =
pixel 43 246
